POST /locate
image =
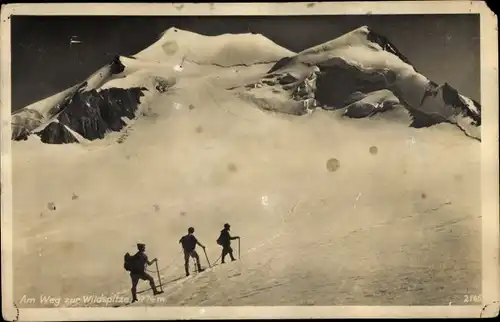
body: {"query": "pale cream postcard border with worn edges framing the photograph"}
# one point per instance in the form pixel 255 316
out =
pixel 489 165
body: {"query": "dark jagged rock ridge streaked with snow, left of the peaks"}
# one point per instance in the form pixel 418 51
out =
pixel 85 110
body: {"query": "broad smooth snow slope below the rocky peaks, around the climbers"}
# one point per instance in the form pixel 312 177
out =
pixel 399 226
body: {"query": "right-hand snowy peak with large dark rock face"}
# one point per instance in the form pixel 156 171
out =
pixel 363 74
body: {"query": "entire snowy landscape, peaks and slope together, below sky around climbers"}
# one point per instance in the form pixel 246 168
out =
pixel 338 200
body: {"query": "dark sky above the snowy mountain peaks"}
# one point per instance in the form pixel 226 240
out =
pixel 445 48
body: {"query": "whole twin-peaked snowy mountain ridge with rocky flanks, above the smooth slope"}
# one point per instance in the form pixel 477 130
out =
pixel 361 73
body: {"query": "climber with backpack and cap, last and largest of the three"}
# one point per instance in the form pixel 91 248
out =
pixel 136 265
